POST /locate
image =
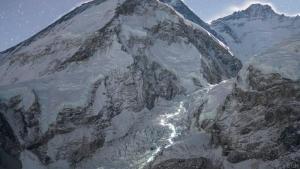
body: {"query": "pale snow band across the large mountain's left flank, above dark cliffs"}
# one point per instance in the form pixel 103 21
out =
pixel 70 88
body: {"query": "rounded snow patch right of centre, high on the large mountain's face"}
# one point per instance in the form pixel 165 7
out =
pixel 181 58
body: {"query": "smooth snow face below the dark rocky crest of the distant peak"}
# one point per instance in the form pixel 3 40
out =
pixel 255 36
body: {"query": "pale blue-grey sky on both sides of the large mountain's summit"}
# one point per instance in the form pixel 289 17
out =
pixel 20 19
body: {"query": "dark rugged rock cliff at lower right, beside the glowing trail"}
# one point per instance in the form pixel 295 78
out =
pixel 261 121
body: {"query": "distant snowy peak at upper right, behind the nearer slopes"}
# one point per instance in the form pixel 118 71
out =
pixel 256 29
